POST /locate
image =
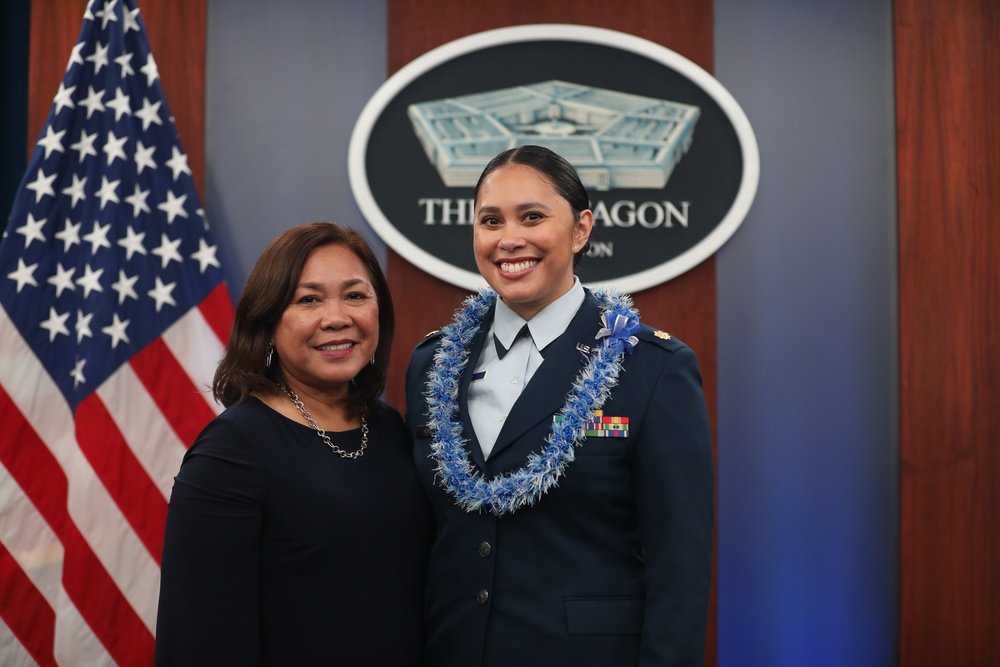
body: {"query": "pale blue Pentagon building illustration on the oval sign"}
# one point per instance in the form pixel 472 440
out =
pixel 615 140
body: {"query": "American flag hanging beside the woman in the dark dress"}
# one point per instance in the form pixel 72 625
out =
pixel 113 316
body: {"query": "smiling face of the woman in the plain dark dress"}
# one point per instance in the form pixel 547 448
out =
pixel 329 330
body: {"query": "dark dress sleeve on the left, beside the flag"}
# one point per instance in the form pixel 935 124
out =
pixel 208 607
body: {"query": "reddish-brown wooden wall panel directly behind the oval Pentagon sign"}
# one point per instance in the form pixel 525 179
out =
pixel 686 305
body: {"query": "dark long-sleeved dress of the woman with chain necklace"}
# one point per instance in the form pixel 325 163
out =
pixel 280 552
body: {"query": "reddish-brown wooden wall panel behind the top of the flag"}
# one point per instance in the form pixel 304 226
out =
pixel 176 32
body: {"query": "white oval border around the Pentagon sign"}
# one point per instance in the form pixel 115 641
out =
pixel 553 32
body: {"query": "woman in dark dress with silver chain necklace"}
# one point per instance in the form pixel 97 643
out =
pixel 297 533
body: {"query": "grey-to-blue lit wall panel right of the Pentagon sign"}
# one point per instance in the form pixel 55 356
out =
pixel 808 396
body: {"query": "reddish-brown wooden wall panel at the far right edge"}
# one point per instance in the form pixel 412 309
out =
pixel 948 106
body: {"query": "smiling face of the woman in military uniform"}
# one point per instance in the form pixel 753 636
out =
pixel 525 237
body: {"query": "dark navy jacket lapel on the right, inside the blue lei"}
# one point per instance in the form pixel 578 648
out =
pixel 546 393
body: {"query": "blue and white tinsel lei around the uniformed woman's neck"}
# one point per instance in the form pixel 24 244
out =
pixel 509 492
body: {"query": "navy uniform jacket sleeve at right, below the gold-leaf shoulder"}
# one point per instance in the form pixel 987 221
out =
pixel 675 481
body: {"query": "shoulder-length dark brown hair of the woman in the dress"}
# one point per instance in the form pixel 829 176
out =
pixel 269 289
